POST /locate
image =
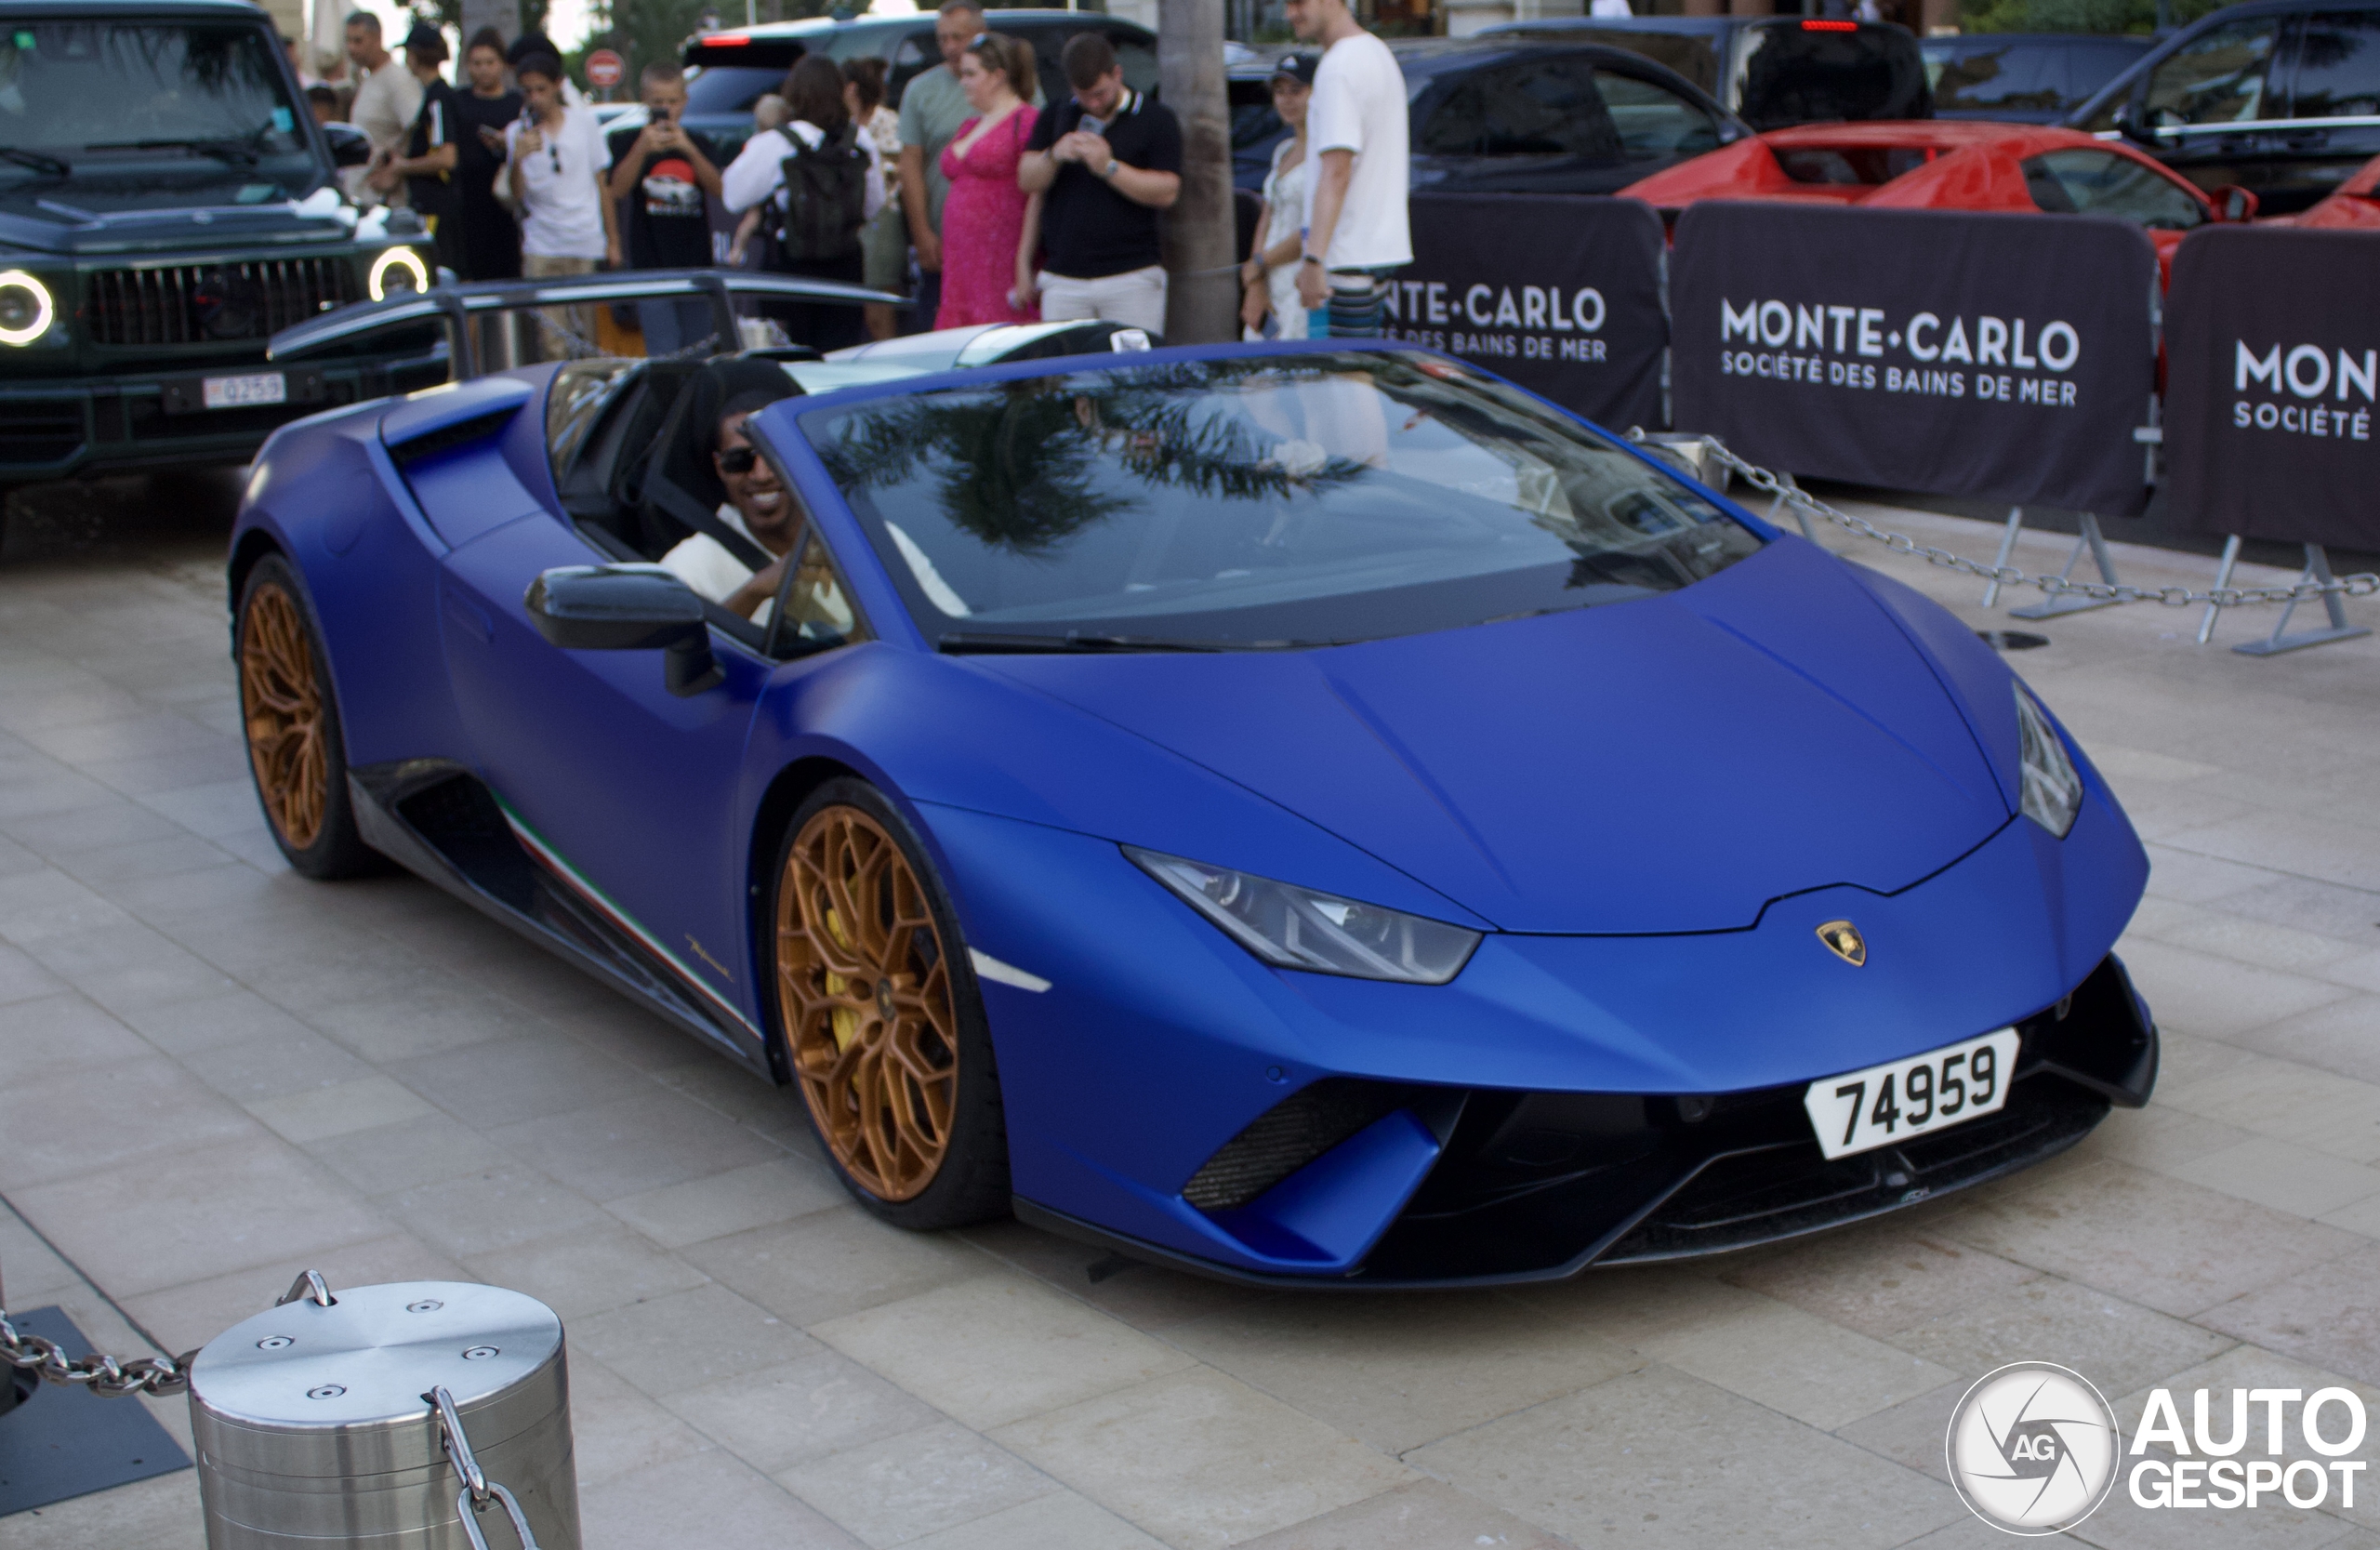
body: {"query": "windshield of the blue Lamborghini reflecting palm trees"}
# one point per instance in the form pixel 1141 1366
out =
pixel 1248 504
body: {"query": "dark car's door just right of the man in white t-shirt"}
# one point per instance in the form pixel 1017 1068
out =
pixel 1527 127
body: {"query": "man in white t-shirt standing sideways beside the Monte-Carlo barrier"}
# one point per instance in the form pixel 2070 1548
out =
pixel 1358 232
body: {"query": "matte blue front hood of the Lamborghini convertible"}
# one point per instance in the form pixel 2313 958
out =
pixel 1643 768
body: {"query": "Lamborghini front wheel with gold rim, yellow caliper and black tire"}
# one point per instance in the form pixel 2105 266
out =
pixel 872 1115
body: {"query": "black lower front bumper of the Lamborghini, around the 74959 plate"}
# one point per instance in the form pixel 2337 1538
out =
pixel 1539 1187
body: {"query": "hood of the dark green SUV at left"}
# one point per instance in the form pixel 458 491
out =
pixel 149 215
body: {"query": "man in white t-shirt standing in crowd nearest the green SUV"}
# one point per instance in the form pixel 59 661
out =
pixel 556 158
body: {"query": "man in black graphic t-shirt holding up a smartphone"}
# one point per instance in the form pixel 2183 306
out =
pixel 663 177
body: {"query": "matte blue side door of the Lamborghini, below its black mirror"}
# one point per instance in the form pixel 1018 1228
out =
pixel 627 792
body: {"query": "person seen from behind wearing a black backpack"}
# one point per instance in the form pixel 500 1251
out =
pixel 822 180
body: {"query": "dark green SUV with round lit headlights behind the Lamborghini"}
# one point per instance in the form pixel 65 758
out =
pixel 165 208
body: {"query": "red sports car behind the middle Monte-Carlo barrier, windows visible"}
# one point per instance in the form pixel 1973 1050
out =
pixel 1950 165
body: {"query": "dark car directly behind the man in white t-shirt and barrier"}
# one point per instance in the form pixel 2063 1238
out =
pixel 1505 115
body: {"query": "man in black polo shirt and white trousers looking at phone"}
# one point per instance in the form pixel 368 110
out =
pixel 1101 168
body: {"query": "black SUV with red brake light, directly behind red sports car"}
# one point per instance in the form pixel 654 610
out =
pixel 1772 73
